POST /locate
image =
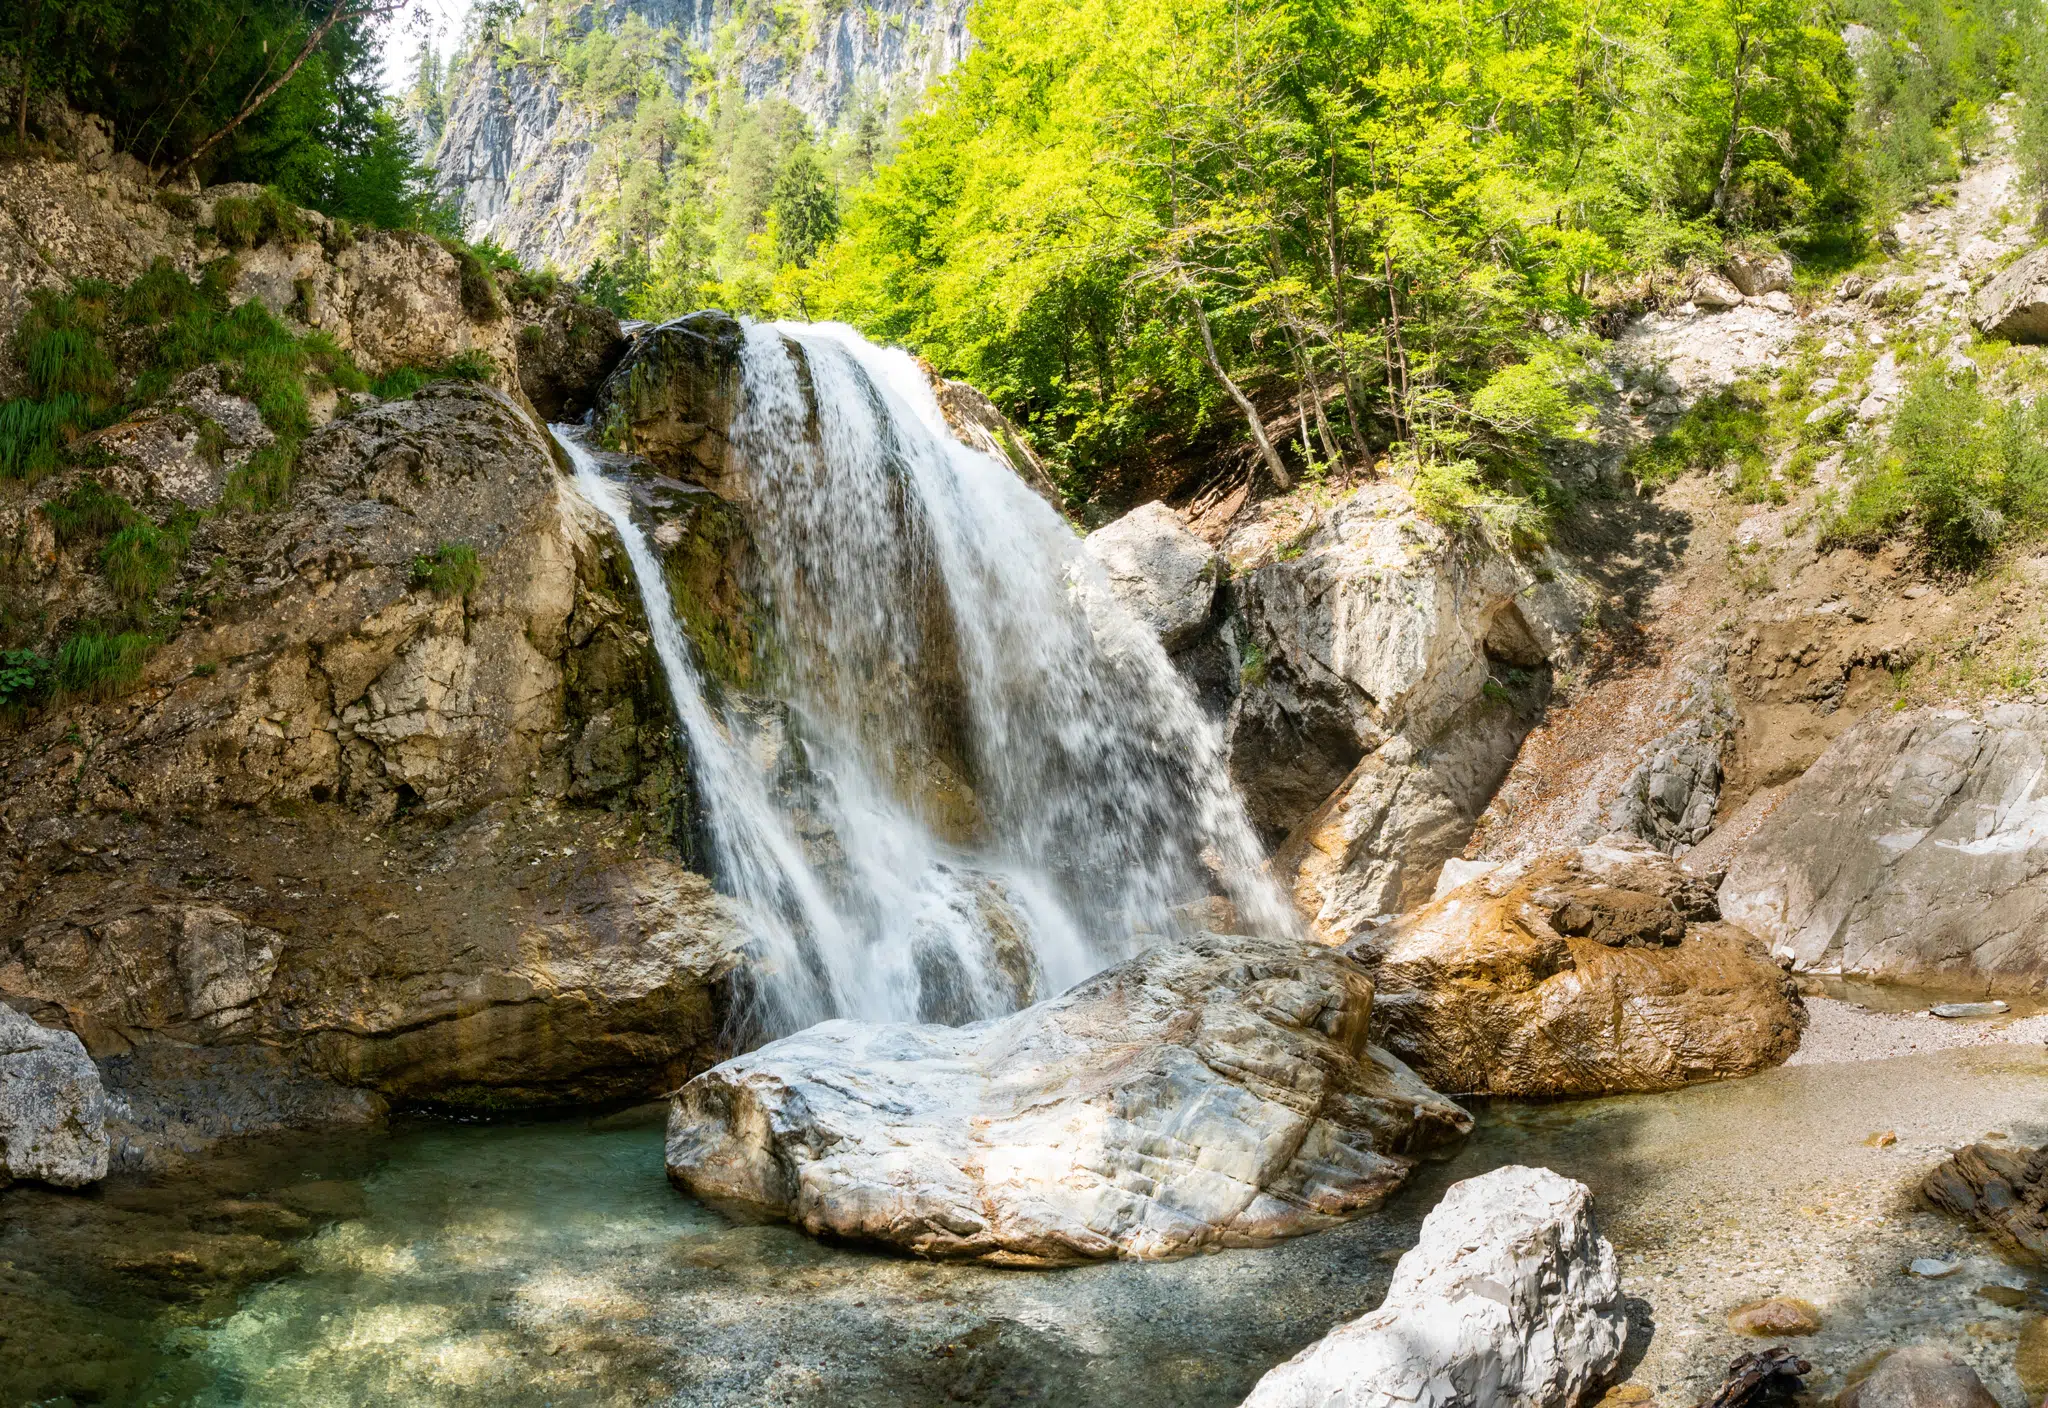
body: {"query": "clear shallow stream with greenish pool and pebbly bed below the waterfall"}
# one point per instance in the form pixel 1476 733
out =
pixel 552 1264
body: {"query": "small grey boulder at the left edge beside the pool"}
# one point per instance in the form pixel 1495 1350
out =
pixel 52 1106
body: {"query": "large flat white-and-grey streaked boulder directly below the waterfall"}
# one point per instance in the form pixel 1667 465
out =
pixel 1220 1094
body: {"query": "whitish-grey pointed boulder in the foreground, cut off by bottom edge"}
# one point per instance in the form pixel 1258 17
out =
pixel 1508 1299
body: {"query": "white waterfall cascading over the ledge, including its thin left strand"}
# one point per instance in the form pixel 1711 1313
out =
pixel 937 633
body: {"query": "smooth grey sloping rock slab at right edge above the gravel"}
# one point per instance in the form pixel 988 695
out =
pixel 1914 850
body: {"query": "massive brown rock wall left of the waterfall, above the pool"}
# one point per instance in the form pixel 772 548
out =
pixel 421 838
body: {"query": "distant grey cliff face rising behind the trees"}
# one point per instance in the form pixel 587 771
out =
pixel 517 152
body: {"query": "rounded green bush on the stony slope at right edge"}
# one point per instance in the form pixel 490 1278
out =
pixel 1963 472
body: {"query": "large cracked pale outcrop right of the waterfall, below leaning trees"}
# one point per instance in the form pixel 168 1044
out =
pixel 1392 670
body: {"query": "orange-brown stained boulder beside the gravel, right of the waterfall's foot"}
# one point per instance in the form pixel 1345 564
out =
pixel 1586 973
